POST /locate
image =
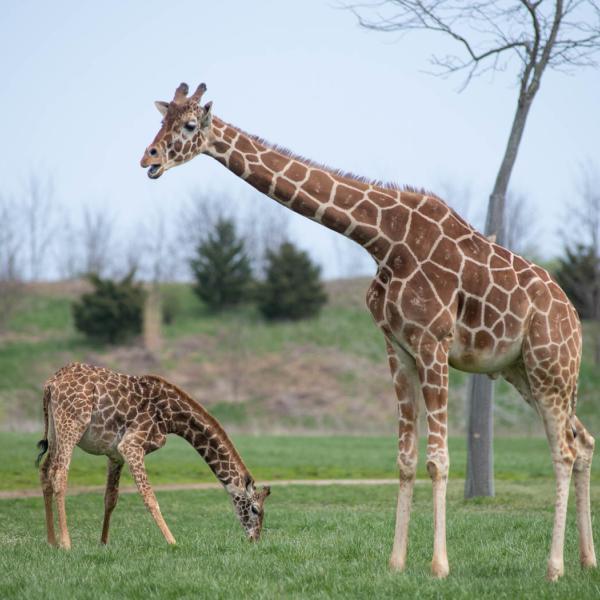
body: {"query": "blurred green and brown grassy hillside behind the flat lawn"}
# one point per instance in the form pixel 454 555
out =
pixel 324 374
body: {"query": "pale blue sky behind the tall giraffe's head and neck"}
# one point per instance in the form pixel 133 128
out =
pixel 79 80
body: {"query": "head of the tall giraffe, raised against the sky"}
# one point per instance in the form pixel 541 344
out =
pixel 183 134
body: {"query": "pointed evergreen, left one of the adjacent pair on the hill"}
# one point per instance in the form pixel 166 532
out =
pixel 221 268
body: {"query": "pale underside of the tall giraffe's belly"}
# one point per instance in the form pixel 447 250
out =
pixel 474 360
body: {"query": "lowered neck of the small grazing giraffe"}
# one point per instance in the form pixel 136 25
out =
pixel 189 420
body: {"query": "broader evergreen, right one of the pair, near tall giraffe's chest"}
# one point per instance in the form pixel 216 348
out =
pixel 292 289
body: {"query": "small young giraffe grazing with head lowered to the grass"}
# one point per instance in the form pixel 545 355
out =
pixel 126 417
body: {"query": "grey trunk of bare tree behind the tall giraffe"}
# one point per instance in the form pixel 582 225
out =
pixel 480 403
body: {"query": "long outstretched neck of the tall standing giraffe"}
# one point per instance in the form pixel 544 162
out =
pixel 345 204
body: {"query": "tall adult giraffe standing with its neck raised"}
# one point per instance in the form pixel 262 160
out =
pixel 443 294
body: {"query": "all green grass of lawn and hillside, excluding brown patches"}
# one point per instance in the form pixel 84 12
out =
pixel 318 542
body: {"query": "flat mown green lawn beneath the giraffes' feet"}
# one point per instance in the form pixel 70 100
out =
pixel 318 542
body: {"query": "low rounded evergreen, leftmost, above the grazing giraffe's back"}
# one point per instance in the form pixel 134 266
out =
pixel 112 312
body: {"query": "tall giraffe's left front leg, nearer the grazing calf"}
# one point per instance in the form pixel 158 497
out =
pixel 406 384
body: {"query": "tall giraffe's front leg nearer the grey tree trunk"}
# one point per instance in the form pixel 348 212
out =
pixel 433 374
